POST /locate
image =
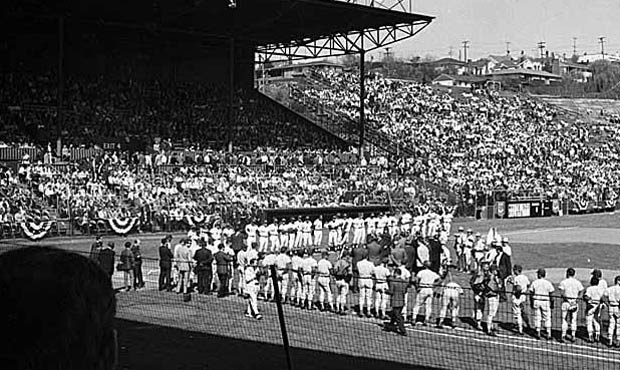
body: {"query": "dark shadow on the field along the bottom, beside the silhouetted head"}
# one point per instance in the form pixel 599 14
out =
pixel 148 346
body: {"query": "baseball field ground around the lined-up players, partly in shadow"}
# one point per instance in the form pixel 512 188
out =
pixel 158 330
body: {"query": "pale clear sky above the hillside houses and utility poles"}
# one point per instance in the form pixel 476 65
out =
pixel 489 24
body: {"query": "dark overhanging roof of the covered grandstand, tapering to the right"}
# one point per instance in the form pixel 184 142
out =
pixel 260 22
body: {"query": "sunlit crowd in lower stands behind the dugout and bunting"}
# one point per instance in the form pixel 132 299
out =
pixel 166 185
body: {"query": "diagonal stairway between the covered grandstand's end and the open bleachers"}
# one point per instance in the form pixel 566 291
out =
pixel 288 93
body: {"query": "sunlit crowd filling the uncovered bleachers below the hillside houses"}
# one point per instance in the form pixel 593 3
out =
pixel 480 139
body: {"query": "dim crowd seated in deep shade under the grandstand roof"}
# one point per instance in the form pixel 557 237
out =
pixel 98 110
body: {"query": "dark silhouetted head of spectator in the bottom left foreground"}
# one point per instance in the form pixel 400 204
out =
pixel 56 312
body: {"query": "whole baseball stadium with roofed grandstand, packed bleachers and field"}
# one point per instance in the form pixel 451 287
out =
pixel 256 208
